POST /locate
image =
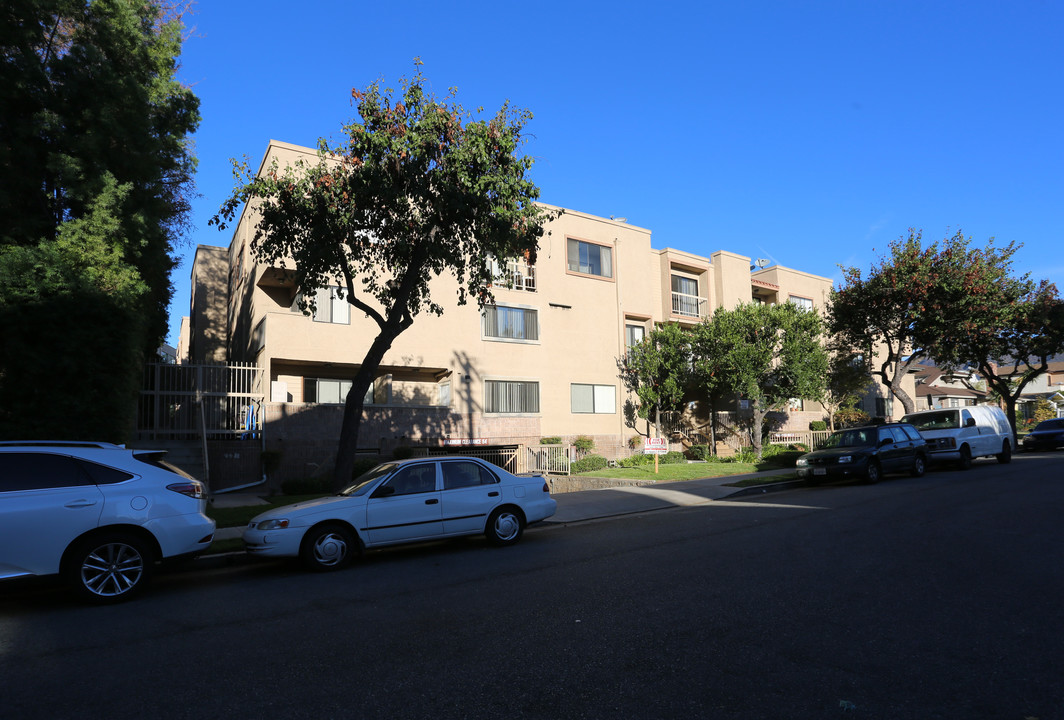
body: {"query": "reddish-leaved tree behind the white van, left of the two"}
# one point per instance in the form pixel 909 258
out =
pixel 877 317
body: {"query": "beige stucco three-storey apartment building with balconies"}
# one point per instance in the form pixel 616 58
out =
pixel 542 362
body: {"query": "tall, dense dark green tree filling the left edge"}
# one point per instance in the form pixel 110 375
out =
pixel 96 172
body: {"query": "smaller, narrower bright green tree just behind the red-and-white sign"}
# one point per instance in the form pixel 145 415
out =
pixel 657 371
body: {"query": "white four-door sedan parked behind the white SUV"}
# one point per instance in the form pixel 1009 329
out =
pixel 405 501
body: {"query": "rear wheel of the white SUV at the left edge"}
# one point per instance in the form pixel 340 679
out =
pixel 110 568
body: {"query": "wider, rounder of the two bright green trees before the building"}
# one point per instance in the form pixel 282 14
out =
pixel 768 355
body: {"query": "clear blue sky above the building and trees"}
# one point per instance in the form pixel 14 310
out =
pixel 811 133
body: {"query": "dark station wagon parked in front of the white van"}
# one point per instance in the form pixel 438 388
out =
pixel 868 454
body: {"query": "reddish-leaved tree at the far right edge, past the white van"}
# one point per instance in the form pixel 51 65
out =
pixel 1007 327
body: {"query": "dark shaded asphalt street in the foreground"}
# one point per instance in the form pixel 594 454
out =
pixel 917 598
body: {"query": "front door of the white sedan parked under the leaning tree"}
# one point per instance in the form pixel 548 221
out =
pixel 406 507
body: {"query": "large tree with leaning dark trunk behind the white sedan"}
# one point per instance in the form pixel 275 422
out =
pixel 418 189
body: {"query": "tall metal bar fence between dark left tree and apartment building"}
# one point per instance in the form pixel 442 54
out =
pixel 186 403
